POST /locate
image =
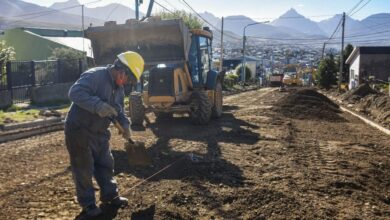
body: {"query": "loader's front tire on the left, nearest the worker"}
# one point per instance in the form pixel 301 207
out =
pixel 136 109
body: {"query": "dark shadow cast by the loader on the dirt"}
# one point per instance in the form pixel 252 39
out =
pixel 208 166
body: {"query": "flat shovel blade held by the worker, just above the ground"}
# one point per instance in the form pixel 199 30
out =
pixel 137 154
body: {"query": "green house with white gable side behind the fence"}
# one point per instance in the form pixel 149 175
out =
pixel 39 43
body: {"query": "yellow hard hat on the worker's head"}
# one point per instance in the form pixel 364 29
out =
pixel 133 61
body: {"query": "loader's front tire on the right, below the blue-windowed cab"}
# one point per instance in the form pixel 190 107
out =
pixel 200 106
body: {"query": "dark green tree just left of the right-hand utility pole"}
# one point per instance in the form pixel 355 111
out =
pixel 326 73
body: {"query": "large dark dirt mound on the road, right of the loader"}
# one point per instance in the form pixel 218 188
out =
pixel 308 104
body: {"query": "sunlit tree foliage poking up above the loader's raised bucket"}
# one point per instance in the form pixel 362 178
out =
pixel 189 19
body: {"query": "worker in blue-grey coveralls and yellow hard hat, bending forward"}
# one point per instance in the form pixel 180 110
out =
pixel 97 97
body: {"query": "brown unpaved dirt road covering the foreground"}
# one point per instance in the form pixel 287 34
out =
pixel 272 155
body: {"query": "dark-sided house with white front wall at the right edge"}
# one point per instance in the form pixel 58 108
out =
pixel 365 62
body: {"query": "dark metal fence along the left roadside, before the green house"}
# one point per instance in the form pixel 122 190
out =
pixel 22 76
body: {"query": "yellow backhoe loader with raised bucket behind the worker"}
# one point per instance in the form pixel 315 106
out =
pixel 178 74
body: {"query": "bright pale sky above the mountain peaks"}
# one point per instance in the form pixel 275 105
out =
pixel 256 9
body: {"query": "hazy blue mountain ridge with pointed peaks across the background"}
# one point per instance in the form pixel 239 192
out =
pixel 290 25
